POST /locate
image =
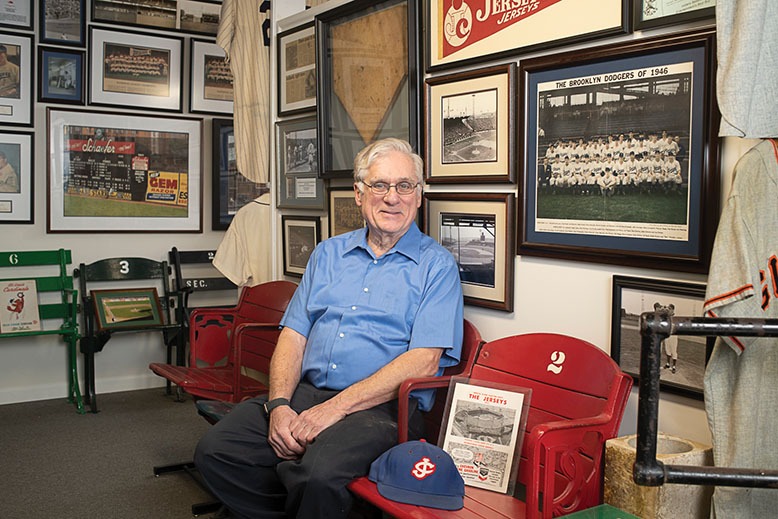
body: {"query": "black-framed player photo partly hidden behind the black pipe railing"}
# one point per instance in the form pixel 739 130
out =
pixel 683 357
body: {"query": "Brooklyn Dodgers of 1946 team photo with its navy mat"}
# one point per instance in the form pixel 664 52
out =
pixel 616 148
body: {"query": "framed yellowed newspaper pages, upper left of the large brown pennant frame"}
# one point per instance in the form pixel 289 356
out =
pixel 297 70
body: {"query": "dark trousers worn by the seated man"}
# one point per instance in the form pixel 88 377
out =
pixel 241 469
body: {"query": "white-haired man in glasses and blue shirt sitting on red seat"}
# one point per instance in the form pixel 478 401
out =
pixel 375 306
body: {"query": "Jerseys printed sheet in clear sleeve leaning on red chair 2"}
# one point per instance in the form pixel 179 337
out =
pixel 484 432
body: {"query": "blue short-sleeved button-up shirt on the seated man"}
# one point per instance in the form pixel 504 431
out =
pixel 359 312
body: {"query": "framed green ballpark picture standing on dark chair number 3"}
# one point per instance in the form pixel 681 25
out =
pixel 127 309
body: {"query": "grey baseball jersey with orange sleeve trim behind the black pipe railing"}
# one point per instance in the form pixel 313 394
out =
pixel 741 379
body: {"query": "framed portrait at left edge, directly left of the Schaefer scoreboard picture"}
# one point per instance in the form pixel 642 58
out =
pixel 17 186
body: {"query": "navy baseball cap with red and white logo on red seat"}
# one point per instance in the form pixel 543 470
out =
pixel 419 473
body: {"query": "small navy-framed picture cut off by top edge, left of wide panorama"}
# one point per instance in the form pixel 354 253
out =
pixel 62 22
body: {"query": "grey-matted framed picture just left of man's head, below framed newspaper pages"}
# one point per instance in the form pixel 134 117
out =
pixel 299 185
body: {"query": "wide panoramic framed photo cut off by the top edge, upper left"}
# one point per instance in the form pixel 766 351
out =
pixel 190 16
